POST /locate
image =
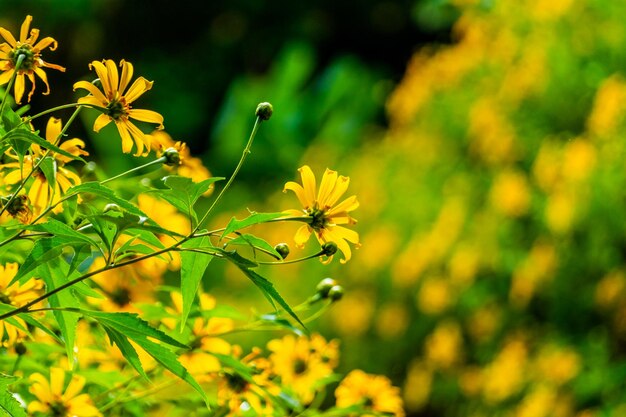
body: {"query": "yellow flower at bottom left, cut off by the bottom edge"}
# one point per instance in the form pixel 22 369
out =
pixel 52 400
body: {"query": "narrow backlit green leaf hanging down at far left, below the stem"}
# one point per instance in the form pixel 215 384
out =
pixel 54 274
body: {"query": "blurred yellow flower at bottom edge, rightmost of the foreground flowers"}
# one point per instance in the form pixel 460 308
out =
pixel 374 392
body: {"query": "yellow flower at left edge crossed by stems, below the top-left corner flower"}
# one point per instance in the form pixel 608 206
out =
pixel 41 193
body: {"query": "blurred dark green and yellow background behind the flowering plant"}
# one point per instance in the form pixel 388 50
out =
pixel 485 140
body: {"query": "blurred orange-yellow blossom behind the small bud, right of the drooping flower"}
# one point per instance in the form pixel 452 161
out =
pixel 189 166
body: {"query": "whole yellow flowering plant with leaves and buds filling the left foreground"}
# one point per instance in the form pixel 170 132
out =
pixel 88 324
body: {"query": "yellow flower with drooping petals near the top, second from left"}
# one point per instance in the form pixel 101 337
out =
pixel 115 101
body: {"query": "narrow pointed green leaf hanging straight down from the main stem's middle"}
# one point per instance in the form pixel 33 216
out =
pixel 193 265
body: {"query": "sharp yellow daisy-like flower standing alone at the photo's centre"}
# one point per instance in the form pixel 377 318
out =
pixel 325 216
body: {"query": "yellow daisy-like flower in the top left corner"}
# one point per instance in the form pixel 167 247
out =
pixel 32 63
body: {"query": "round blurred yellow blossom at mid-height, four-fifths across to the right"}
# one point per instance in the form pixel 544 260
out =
pixel 510 193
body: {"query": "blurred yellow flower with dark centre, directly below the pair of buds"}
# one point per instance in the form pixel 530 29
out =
pixel 301 365
